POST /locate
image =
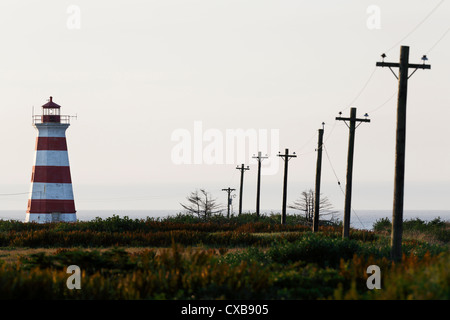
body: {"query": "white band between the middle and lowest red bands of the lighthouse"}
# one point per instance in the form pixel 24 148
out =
pixel 51 191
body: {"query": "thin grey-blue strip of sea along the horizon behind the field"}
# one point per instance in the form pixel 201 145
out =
pixel 361 219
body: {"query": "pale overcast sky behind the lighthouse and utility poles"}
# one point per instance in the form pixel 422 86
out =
pixel 136 73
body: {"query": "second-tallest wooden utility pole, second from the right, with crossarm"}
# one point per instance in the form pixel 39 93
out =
pixel 348 187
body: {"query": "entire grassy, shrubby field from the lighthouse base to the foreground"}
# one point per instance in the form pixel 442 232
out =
pixel 239 258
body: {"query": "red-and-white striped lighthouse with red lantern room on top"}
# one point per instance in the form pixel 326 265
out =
pixel 51 195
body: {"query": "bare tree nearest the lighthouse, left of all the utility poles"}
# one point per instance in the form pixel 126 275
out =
pixel 202 204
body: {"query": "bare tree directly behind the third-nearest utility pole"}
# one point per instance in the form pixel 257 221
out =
pixel 306 204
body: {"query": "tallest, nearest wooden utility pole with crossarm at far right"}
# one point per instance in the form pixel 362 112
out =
pixel 399 177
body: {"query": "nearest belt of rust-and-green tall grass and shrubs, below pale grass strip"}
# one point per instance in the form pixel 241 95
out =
pixel 285 271
